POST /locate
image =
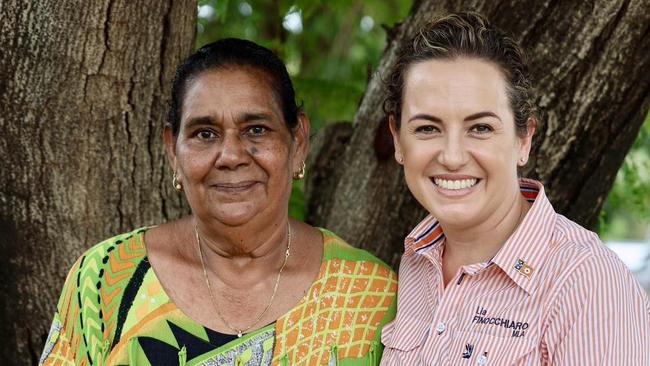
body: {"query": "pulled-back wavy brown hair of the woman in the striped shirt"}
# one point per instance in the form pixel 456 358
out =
pixel 465 34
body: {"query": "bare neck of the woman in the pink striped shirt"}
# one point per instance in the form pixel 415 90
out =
pixel 469 245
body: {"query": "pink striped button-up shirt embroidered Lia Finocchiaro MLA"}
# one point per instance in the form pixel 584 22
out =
pixel 552 295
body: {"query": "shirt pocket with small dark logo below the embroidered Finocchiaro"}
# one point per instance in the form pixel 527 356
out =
pixel 490 350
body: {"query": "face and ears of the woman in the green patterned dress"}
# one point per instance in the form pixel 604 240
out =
pixel 234 154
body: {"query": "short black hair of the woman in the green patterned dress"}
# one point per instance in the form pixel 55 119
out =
pixel 229 52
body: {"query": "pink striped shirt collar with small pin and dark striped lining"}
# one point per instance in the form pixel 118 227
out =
pixel 523 253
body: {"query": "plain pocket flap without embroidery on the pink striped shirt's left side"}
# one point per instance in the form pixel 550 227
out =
pixel 405 336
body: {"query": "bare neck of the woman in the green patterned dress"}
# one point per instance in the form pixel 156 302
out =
pixel 242 256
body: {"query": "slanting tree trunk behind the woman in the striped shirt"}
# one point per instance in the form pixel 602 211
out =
pixel 590 65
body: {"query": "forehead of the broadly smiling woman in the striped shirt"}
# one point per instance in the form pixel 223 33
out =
pixel 462 84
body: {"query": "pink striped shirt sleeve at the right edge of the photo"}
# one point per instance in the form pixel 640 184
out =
pixel 600 317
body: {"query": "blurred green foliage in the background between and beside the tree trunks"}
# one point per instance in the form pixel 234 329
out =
pixel 332 47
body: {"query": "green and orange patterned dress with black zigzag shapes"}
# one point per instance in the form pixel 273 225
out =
pixel 114 311
